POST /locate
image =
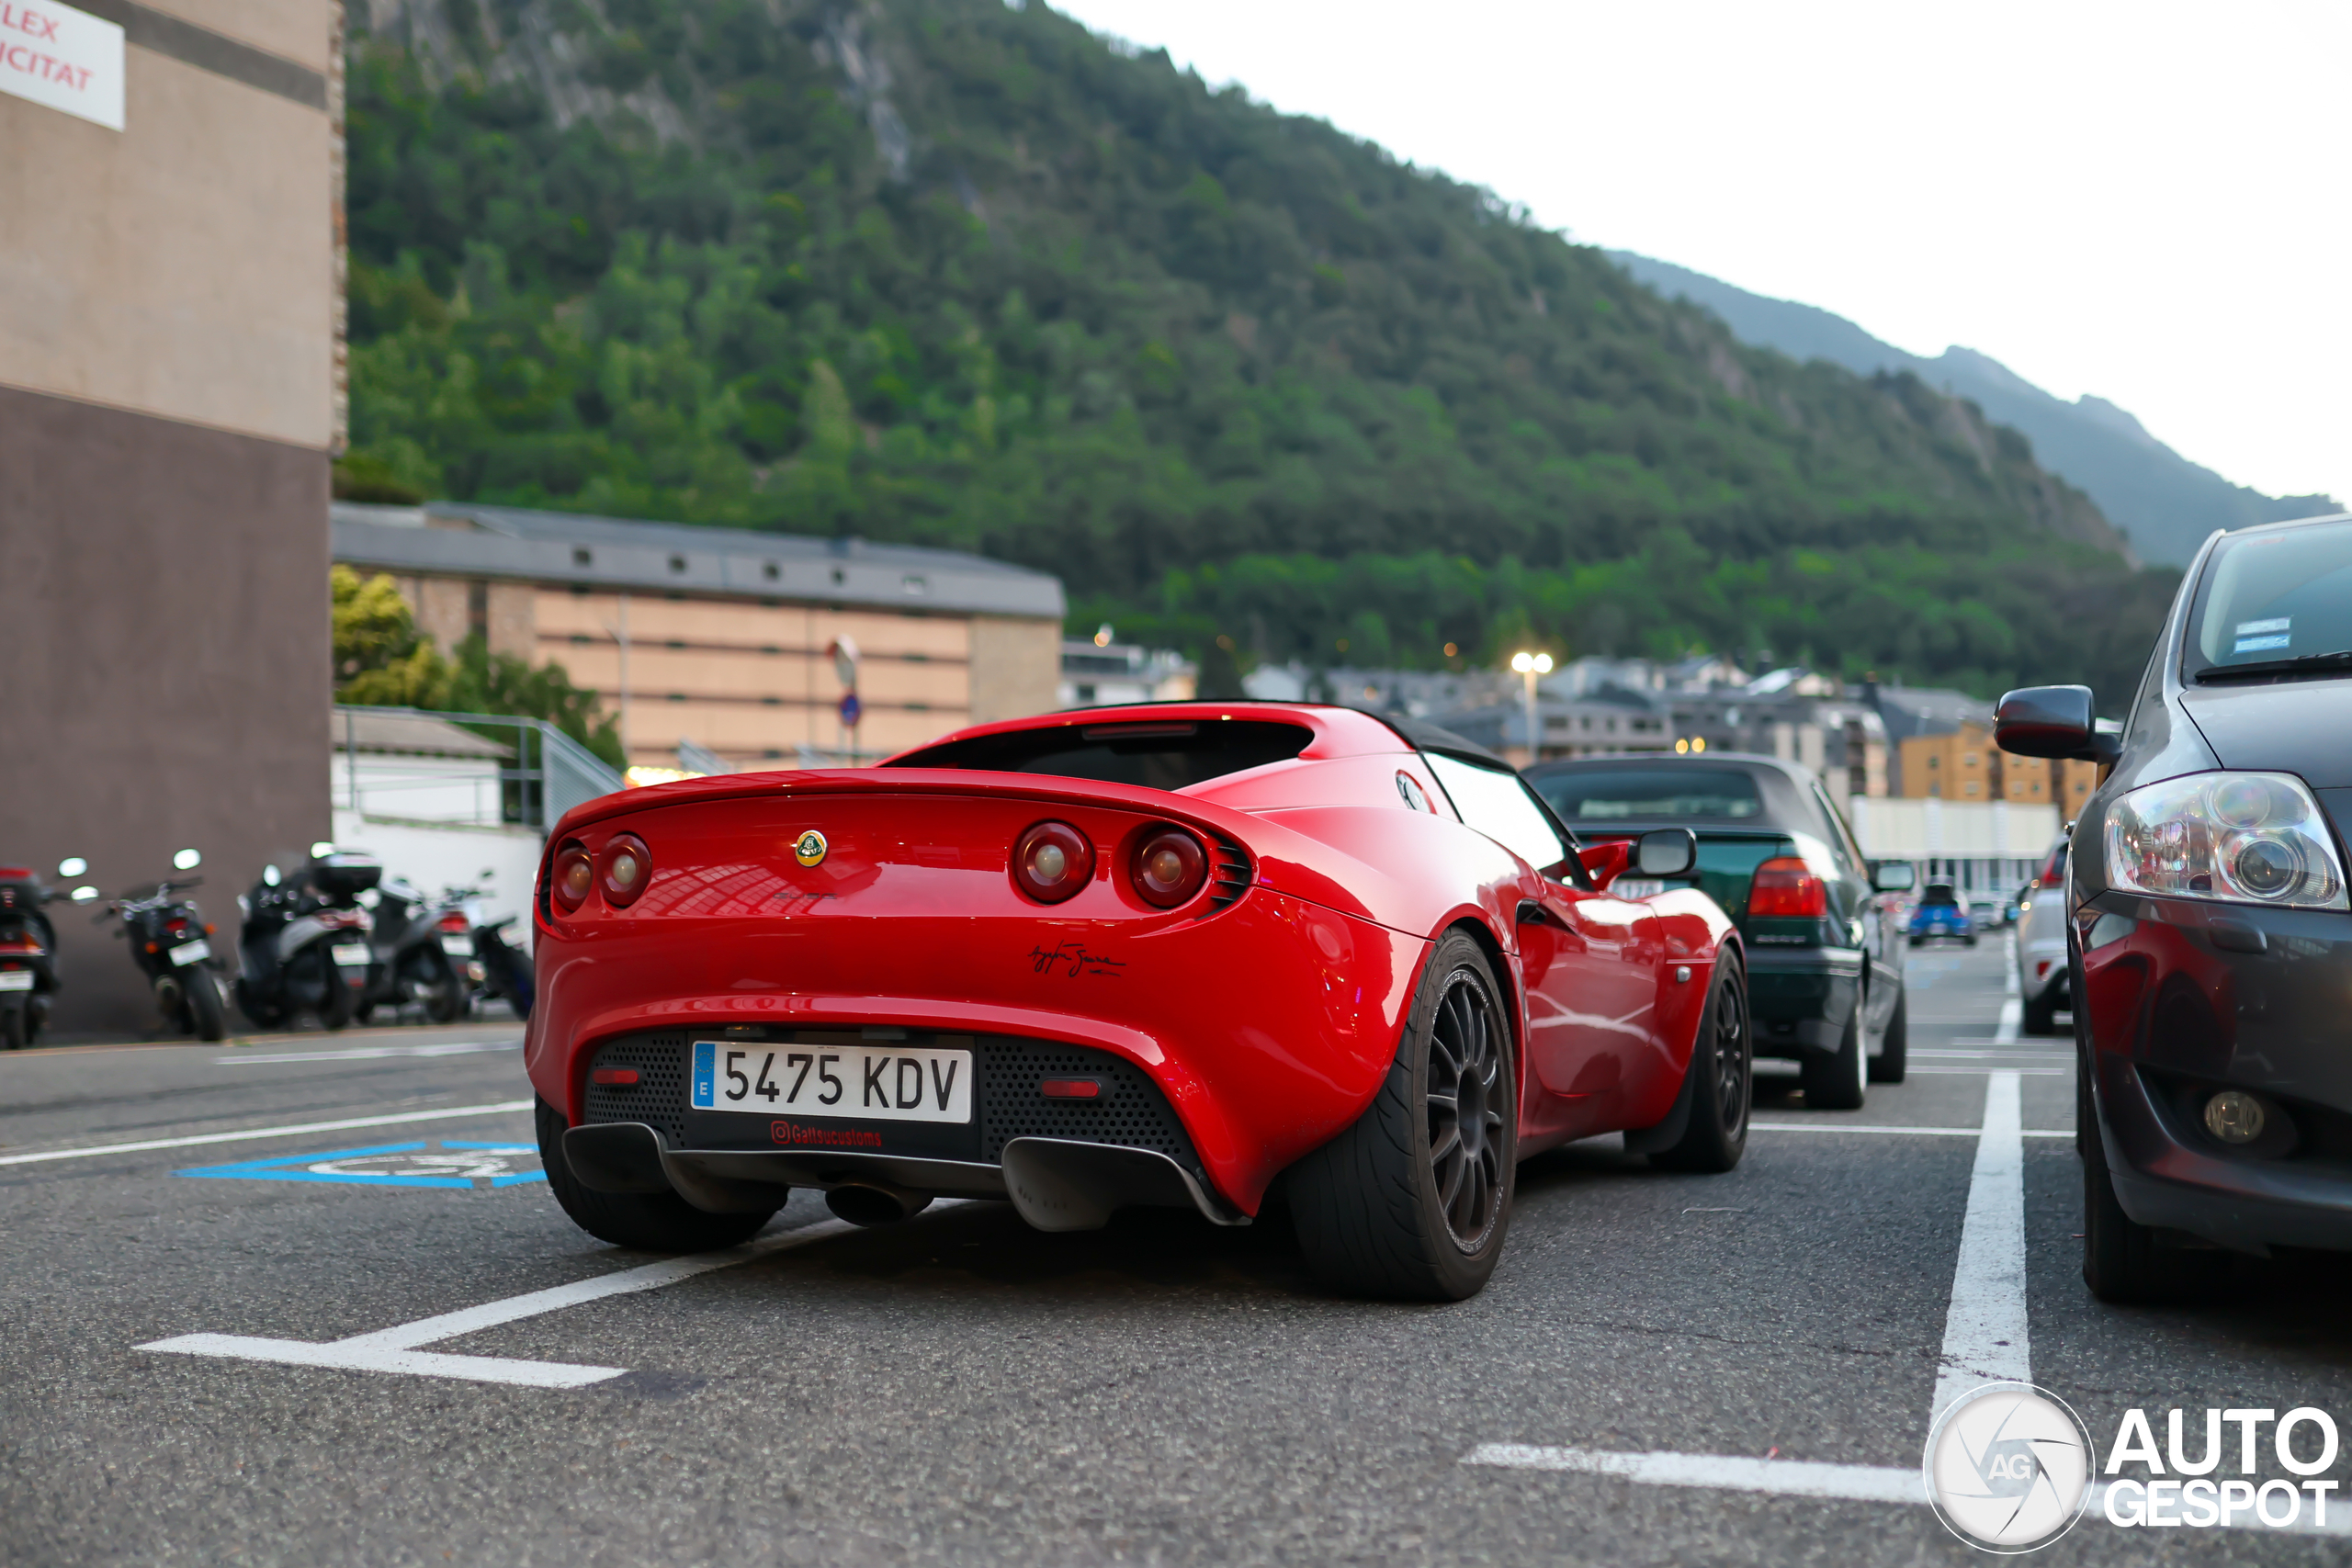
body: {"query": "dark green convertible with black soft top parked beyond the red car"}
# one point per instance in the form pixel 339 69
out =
pixel 1824 951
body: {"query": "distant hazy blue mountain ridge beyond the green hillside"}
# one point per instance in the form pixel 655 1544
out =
pixel 2165 502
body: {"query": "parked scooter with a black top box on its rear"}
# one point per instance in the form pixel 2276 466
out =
pixel 305 942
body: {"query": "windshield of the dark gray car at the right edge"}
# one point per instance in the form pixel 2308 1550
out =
pixel 2276 598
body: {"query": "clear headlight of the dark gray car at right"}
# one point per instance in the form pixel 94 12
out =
pixel 2243 838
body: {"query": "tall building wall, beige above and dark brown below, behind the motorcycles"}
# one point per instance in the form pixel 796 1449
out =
pixel 168 302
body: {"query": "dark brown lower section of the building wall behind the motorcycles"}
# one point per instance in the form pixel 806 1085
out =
pixel 168 664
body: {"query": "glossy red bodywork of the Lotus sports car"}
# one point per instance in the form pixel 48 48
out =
pixel 1267 1024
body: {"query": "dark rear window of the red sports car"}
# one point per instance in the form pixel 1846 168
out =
pixel 1156 756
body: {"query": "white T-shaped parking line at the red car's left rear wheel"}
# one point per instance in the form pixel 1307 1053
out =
pixel 394 1351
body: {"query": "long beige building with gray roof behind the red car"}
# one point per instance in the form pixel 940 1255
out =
pixel 726 638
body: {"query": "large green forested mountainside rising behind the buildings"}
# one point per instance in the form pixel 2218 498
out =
pixel 963 274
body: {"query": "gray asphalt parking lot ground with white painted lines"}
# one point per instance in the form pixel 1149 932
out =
pixel 377 1341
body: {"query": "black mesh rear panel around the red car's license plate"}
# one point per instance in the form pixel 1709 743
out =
pixel 1130 1113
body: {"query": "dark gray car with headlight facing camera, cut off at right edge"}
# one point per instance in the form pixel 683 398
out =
pixel 2210 934
